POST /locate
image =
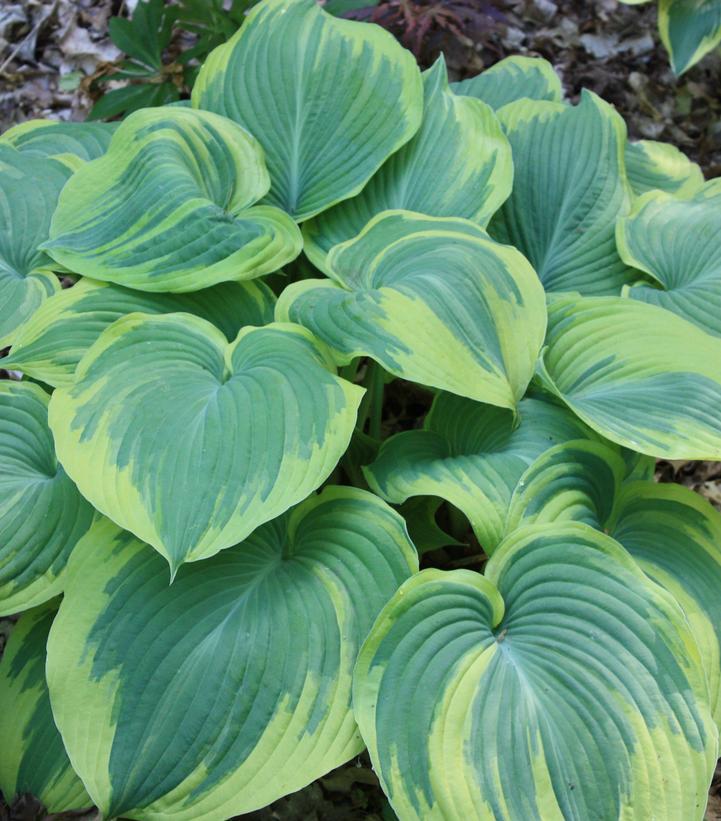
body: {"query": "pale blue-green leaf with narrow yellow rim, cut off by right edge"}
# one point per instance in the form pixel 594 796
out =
pixel 678 242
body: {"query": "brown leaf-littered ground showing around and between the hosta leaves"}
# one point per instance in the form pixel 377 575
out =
pixel 51 49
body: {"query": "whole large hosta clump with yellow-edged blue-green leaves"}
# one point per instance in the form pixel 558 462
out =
pixel 215 502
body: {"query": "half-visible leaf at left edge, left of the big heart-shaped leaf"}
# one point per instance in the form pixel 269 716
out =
pixel 42 515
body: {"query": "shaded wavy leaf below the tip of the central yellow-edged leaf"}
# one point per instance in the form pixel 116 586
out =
pixel 471 455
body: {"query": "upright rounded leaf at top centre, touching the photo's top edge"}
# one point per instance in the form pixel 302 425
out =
pixel 330 100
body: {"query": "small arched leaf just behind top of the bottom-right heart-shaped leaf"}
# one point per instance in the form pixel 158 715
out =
pixel 574 481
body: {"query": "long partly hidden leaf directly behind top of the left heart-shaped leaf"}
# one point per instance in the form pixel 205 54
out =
pixel 50 344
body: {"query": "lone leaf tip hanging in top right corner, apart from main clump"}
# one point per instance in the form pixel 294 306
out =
pixel 689 30
